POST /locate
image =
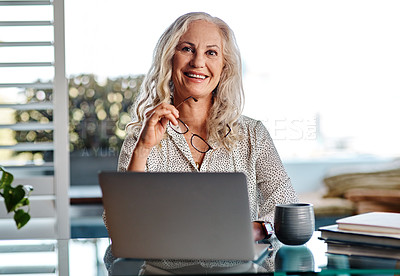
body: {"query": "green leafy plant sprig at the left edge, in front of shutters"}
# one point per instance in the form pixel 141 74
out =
pixel 15 198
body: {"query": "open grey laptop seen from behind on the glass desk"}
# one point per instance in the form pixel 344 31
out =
pixel 201 216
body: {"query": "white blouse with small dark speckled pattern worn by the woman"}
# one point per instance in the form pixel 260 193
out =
pixel 255 155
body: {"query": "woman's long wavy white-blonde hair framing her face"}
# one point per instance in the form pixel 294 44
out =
pixel 228 97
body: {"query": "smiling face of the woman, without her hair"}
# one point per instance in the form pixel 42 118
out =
pixel 198 60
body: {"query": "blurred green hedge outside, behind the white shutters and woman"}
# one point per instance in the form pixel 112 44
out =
pixel 98 113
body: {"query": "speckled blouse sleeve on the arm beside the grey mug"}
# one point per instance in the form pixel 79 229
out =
pixel 273 183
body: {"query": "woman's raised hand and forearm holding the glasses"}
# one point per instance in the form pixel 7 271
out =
pixel 154 127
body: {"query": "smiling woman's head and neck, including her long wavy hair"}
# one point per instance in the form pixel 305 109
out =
pixel 196 44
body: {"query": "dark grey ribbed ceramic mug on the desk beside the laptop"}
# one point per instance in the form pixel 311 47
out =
pixel 294 223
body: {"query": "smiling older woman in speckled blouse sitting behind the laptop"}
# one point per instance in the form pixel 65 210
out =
pixel 188 116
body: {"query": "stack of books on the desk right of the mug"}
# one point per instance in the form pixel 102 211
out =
pixel 375 234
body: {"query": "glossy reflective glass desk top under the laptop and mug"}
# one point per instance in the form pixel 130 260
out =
pixel 85 257
